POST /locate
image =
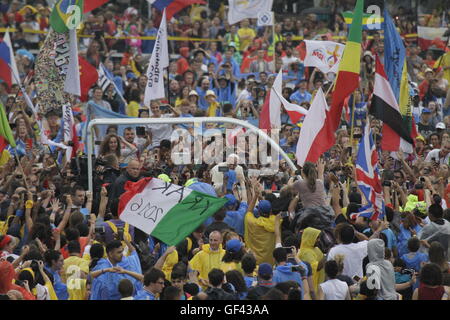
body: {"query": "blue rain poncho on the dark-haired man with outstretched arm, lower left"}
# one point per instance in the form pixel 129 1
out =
pixel 105 286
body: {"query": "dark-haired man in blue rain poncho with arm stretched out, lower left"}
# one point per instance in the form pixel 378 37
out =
pixel 111 270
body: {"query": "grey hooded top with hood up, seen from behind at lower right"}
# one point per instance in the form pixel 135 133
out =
pixel 375 251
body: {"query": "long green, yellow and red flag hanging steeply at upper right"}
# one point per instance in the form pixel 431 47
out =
pixel 347 81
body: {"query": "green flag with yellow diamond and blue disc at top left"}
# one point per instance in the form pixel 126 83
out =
pixel 66 15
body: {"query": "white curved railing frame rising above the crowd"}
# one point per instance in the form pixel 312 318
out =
pixel 199 120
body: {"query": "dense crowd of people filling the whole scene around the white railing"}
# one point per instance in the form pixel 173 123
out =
pixel 291 235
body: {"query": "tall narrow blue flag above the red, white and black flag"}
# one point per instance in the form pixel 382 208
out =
pixel 394 54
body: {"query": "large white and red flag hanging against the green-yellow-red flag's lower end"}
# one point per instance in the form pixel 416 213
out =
pixel 310 132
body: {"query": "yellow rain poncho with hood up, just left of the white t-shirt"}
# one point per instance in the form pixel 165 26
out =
pixel 312 254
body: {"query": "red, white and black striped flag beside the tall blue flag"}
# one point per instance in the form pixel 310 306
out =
pixel 384 107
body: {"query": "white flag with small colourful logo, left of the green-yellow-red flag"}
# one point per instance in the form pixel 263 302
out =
pixel 324 55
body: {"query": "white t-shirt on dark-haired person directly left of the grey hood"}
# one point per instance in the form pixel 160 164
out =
pixel 354 254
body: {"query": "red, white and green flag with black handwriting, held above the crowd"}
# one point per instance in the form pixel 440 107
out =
pixel 164 210
